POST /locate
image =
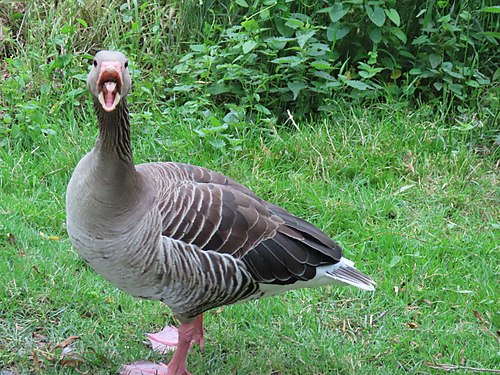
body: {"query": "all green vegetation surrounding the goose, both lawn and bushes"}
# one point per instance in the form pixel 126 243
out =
pixel 376 120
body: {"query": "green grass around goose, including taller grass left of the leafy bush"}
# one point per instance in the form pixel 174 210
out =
pixel 413 199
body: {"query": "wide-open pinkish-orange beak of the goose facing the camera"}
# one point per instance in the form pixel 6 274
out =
pixel 109 85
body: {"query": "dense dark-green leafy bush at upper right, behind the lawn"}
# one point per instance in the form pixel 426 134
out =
pixel 271 55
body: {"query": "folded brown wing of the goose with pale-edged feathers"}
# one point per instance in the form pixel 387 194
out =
pixel 207 209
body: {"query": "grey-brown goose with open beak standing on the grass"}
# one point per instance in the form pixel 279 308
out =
pixel 185 235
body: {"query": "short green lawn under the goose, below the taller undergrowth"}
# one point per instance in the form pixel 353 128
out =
pixel 432 247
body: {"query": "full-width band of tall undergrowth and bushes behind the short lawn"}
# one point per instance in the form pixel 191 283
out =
pixel 256 59
